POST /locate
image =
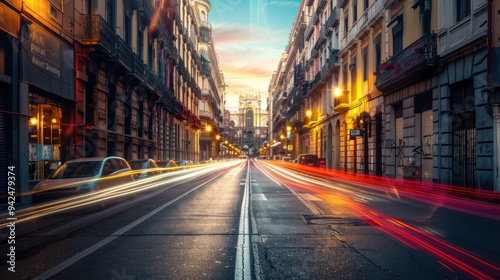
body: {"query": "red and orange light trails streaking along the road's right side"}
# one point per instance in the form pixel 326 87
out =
pixel 447 254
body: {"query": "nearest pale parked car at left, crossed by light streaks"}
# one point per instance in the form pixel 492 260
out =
pixel 83 175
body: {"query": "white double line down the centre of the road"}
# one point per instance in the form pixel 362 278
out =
pixel 242 267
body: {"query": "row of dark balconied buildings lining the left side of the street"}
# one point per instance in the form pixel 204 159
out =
pixel 99 78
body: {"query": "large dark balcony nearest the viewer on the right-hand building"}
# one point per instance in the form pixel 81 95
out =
pixel 408 66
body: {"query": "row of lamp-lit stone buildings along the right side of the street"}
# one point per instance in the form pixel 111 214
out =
pixel 403 89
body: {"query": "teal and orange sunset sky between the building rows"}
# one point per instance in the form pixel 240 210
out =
pixel 249 37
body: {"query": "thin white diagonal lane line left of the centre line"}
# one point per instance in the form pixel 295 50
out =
pixel 62 266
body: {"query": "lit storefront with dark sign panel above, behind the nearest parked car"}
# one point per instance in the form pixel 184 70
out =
pixel 48 89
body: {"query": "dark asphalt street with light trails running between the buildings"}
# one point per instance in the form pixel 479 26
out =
pixel 255 219
